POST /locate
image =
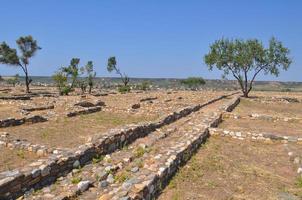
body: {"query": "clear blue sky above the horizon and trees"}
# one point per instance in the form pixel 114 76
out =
pixel 150 38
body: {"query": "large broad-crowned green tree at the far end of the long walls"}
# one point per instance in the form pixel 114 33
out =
pixel 245 59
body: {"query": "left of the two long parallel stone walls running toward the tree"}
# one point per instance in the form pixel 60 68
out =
pixel 46 171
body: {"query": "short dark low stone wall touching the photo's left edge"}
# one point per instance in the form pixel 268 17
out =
pixel 16 122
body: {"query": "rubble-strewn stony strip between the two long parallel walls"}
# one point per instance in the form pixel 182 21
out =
pixel 122 172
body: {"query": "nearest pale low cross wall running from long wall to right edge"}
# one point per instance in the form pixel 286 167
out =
pixel 255 136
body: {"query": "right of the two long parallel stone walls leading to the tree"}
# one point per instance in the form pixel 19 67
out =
pixel 150 188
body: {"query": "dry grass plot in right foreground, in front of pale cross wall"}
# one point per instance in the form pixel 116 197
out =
pixel 232 169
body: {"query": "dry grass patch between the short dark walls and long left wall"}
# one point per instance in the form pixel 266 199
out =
pixel 69 132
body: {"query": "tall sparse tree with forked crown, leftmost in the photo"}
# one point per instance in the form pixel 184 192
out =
pixel 28 48
